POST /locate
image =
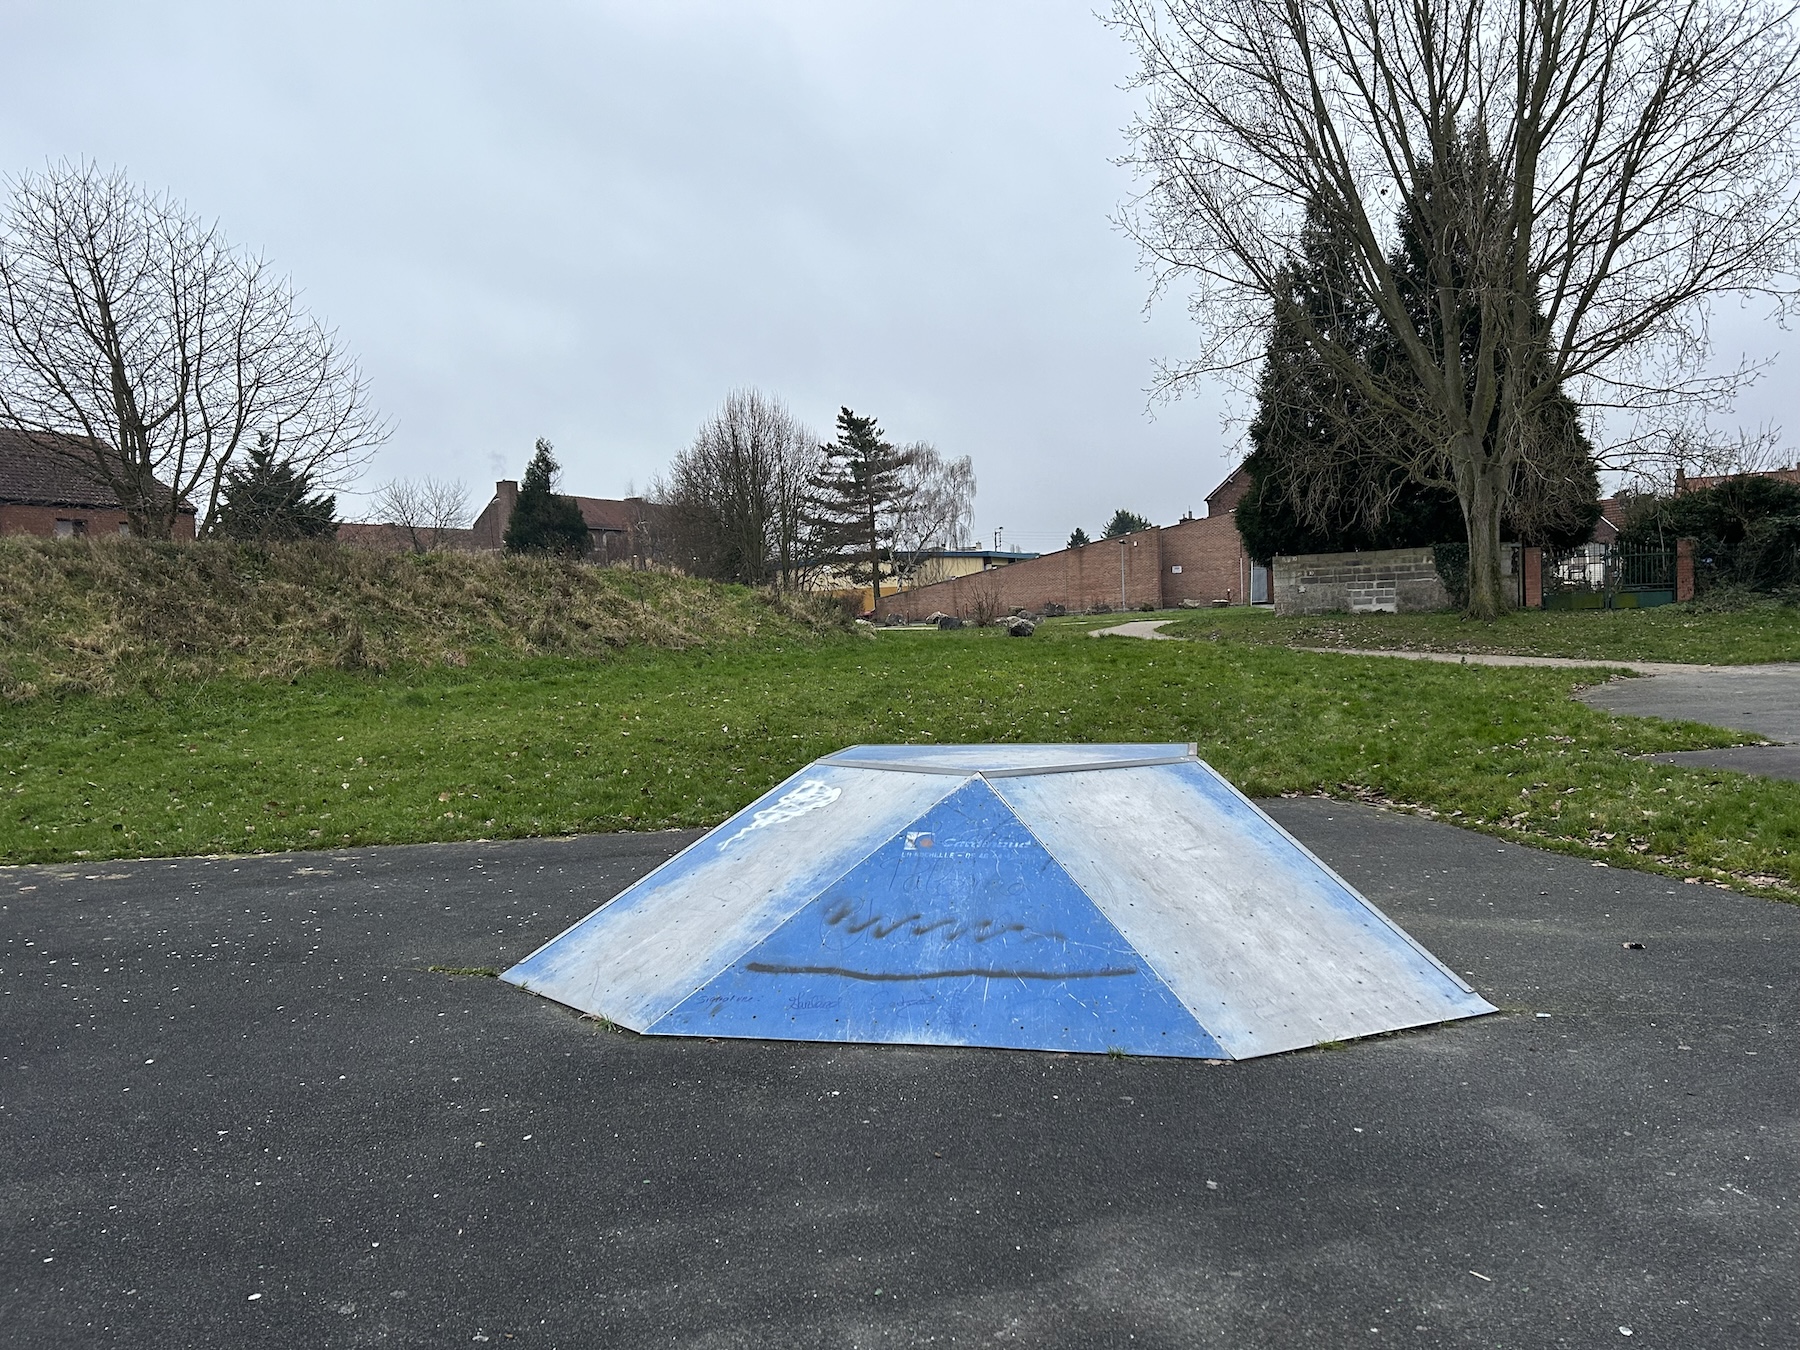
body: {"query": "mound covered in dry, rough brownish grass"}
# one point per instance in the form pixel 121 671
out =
pixel 107 616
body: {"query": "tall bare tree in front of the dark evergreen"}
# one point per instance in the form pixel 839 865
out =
pixel 1585 177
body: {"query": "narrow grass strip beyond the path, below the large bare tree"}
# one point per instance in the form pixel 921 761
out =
pixel 1669 633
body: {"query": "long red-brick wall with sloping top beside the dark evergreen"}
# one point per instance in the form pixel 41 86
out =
pixel 1196 561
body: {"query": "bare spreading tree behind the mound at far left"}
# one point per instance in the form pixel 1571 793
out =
pixel 134 330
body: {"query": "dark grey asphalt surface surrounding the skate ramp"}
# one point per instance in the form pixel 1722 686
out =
pixel 238 1110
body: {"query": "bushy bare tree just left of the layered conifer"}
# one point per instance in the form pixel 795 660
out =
pixel 737 499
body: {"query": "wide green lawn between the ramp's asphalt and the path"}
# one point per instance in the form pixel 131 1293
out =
pixel 543 746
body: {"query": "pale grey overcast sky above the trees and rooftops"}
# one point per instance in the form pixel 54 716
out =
pixel 593 220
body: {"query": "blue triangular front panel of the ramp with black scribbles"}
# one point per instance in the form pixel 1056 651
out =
pixel 962 930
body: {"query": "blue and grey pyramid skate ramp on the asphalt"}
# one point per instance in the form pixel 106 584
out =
pixel 1036 897
